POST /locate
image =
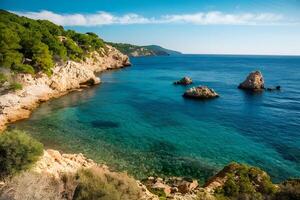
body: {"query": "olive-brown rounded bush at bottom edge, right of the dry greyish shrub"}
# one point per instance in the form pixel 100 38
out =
pixel 100 184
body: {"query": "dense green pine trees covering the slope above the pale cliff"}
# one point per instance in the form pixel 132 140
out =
pixel 30 46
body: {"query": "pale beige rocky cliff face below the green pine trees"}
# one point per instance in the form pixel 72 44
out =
pixel 65 78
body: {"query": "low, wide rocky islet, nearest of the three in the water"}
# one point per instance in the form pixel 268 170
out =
pixel 200 92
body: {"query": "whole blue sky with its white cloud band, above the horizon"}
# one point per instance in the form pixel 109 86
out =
pixel 268 27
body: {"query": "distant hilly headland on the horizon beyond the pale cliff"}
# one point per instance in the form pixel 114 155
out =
pixel 149 50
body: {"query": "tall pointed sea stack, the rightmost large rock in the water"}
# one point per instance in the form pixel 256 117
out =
pixel 253 82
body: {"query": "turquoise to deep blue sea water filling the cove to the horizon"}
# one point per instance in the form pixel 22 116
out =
pixel 137 121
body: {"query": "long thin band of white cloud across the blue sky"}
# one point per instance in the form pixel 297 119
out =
pixel 201 18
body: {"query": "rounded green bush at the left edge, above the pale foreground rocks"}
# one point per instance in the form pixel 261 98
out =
pixel 18 152
